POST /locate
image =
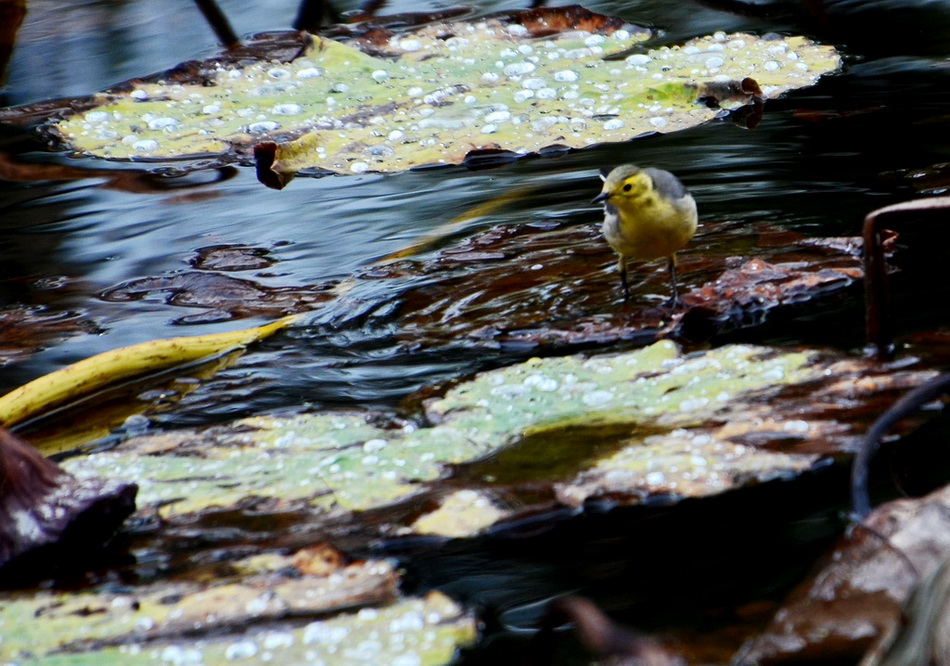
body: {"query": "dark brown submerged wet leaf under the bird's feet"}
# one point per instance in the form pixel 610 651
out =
pixel 569 270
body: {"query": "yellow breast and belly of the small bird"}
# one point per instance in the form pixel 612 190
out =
pixel 649 226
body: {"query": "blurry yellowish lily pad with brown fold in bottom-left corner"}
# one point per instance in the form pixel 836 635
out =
pixel 238 620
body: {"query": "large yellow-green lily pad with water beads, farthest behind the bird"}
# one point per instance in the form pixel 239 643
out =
pixel 434 94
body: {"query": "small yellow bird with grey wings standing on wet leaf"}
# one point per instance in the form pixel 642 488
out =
pixel 648 214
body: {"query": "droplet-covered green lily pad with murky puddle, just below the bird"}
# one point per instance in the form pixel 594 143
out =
pixel 646 422
